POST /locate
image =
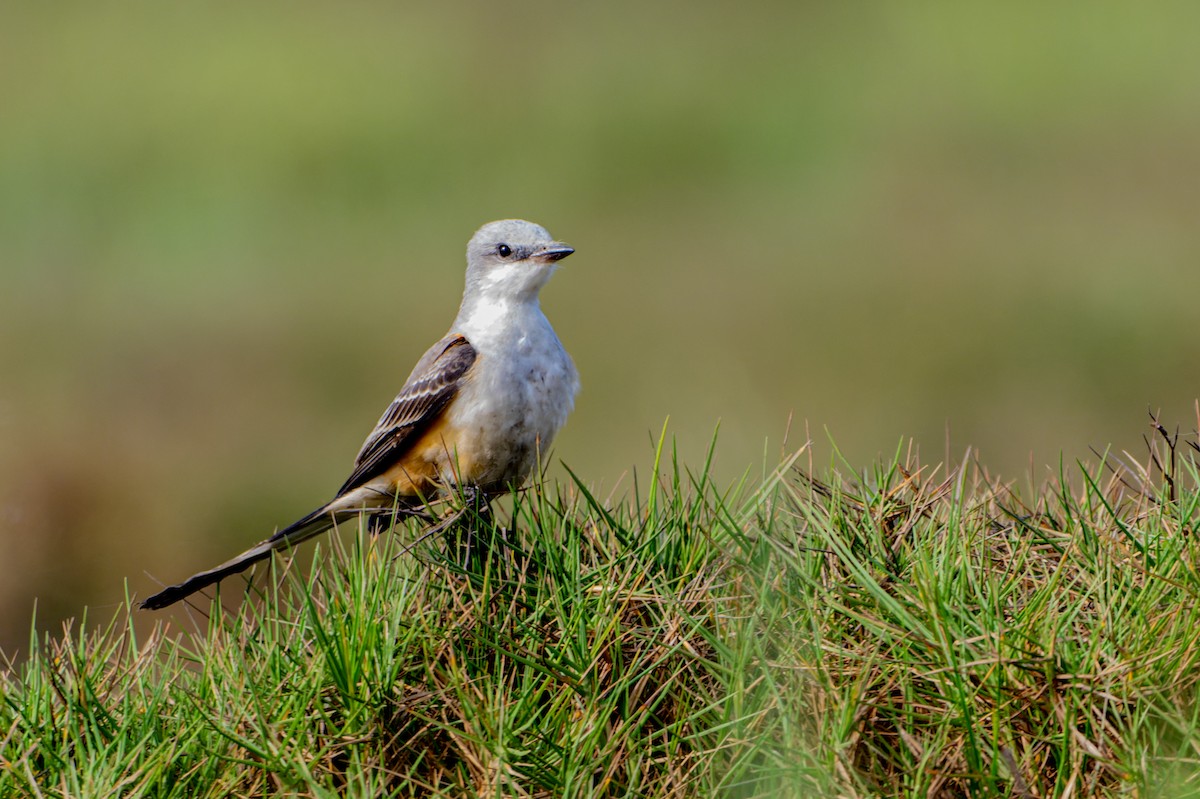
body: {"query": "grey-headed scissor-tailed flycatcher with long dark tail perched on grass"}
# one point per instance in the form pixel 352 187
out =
pixel 479 410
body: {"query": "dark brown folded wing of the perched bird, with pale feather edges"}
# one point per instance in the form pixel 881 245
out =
pixel 429 389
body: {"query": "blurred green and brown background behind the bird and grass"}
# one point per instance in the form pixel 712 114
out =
pixel 227 231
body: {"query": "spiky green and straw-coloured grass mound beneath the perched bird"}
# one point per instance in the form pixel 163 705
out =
pixel 907 632
